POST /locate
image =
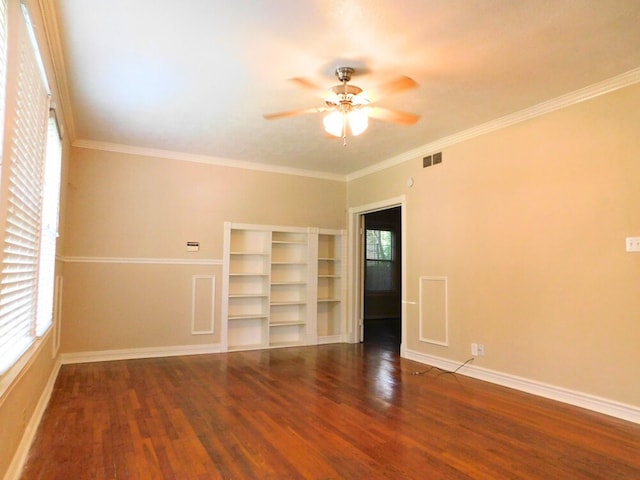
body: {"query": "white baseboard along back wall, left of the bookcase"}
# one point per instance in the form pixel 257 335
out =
pixel 136 353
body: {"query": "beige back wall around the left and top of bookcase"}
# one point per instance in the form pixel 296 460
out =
pixel 131 207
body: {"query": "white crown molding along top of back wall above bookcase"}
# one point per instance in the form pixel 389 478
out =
pixel 209 160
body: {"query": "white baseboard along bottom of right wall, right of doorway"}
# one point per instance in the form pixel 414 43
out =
pixel 590 402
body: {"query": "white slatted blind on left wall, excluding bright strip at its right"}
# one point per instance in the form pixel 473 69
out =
pixel 23 189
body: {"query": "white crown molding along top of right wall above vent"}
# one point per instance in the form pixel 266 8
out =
pixel 624 80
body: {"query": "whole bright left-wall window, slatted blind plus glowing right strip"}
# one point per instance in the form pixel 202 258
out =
pixel 30 191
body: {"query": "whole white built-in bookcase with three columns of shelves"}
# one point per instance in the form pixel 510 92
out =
pixel 283 286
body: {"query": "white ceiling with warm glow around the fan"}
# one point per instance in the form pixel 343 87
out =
pixel 195 76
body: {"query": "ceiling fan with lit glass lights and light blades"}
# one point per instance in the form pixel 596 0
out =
pixel 349 106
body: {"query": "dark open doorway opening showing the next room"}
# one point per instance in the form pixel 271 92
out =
pixel 382 277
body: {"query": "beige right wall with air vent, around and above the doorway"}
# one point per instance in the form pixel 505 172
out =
pixel 529 224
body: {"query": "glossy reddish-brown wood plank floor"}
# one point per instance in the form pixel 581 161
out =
pixel 326 412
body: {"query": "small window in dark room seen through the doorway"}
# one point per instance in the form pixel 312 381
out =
pixel 380 261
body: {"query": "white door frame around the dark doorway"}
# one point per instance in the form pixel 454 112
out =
pixel 355 274
